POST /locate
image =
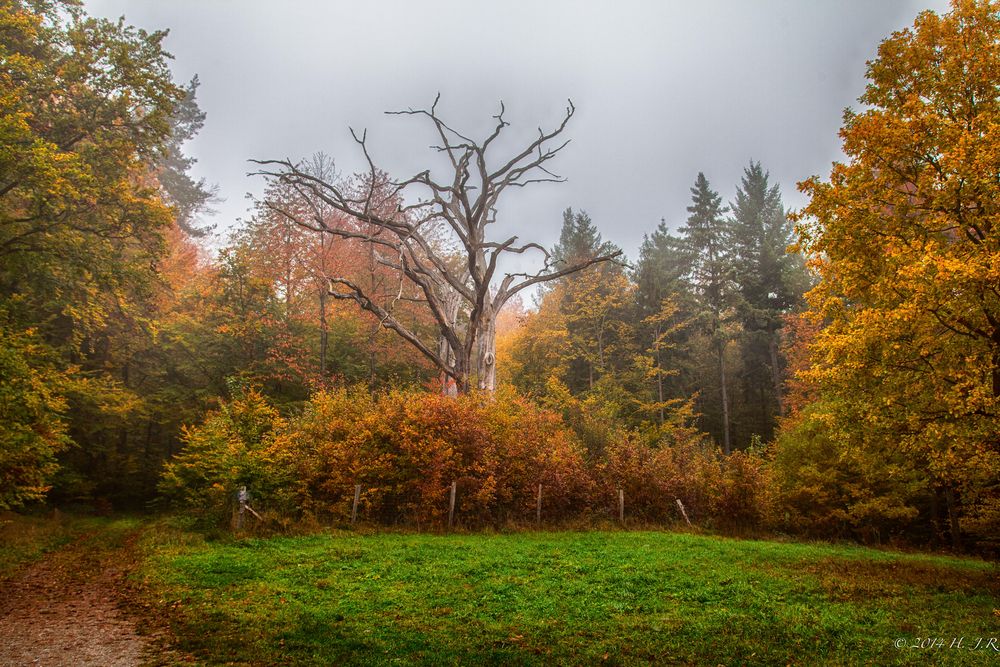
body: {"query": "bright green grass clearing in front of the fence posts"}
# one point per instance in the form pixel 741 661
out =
pixel 565 598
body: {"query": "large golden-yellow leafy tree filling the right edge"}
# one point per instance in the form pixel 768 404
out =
pixel 904 237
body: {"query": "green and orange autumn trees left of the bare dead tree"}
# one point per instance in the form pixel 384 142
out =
pixel 116 326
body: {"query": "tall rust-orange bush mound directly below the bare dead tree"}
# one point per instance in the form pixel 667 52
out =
pixel 406 448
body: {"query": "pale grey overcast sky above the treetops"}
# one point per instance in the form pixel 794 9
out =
pixel 663 90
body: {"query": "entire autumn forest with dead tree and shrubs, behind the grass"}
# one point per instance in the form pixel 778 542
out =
pixel 827 372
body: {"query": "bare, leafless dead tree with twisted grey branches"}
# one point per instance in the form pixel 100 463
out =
pixel 464 205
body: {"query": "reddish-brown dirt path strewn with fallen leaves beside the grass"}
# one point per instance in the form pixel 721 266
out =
pixel 66 609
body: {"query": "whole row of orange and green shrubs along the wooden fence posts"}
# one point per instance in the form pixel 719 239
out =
pixel 406 448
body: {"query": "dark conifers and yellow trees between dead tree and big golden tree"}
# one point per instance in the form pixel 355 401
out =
pixel 700 317
